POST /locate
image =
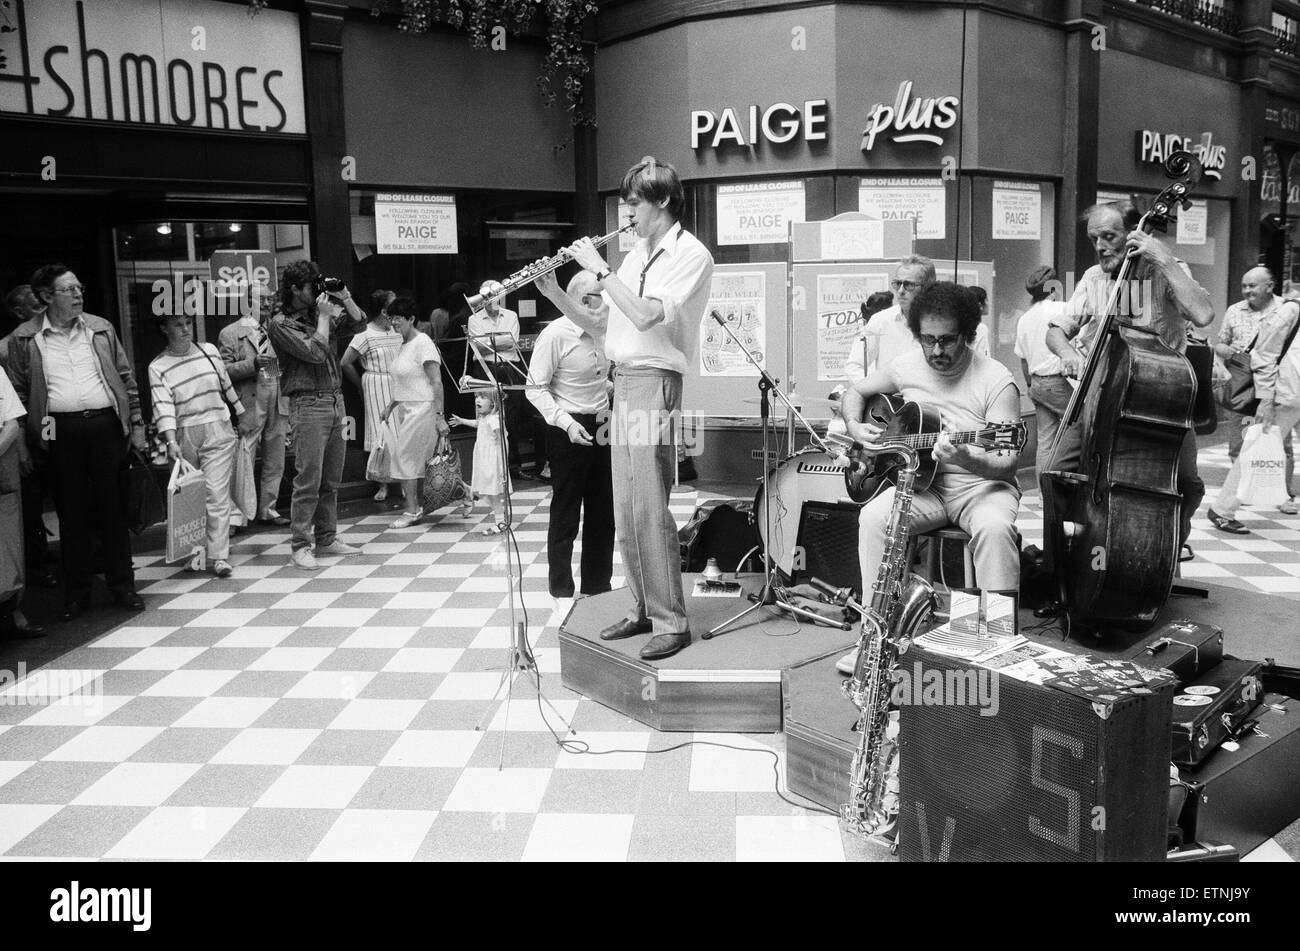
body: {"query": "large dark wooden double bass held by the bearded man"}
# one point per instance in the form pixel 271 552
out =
pixel 1112 529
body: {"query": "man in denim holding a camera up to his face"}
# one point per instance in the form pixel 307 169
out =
pixel 311 314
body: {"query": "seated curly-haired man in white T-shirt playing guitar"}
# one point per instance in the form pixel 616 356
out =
pixel 973 488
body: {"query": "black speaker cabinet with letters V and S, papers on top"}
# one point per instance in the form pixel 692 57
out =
pixel 1072 768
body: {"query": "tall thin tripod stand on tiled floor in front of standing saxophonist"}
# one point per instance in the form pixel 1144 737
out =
pixel 519 655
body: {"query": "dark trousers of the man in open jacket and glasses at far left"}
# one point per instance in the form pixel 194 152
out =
pixel 88 459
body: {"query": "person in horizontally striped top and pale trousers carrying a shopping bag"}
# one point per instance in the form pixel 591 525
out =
pixel 193 401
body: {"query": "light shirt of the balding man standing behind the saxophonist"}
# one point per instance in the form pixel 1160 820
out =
pixel 569 374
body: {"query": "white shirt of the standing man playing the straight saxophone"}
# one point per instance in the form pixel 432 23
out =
pixel 678 276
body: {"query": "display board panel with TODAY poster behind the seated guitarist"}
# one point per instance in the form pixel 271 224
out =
pixel 824 306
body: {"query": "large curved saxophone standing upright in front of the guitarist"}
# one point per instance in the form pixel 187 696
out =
pixel 900 603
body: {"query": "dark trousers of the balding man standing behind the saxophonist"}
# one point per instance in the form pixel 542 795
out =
pixel 580 485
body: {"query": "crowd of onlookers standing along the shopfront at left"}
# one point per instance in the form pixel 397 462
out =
pixel 72 414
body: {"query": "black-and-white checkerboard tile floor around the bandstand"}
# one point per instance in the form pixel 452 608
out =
pixel 284 715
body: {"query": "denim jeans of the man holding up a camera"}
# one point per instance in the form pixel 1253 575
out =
pixel 317 428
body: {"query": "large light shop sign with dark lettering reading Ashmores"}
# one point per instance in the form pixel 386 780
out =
pixel 180 63
